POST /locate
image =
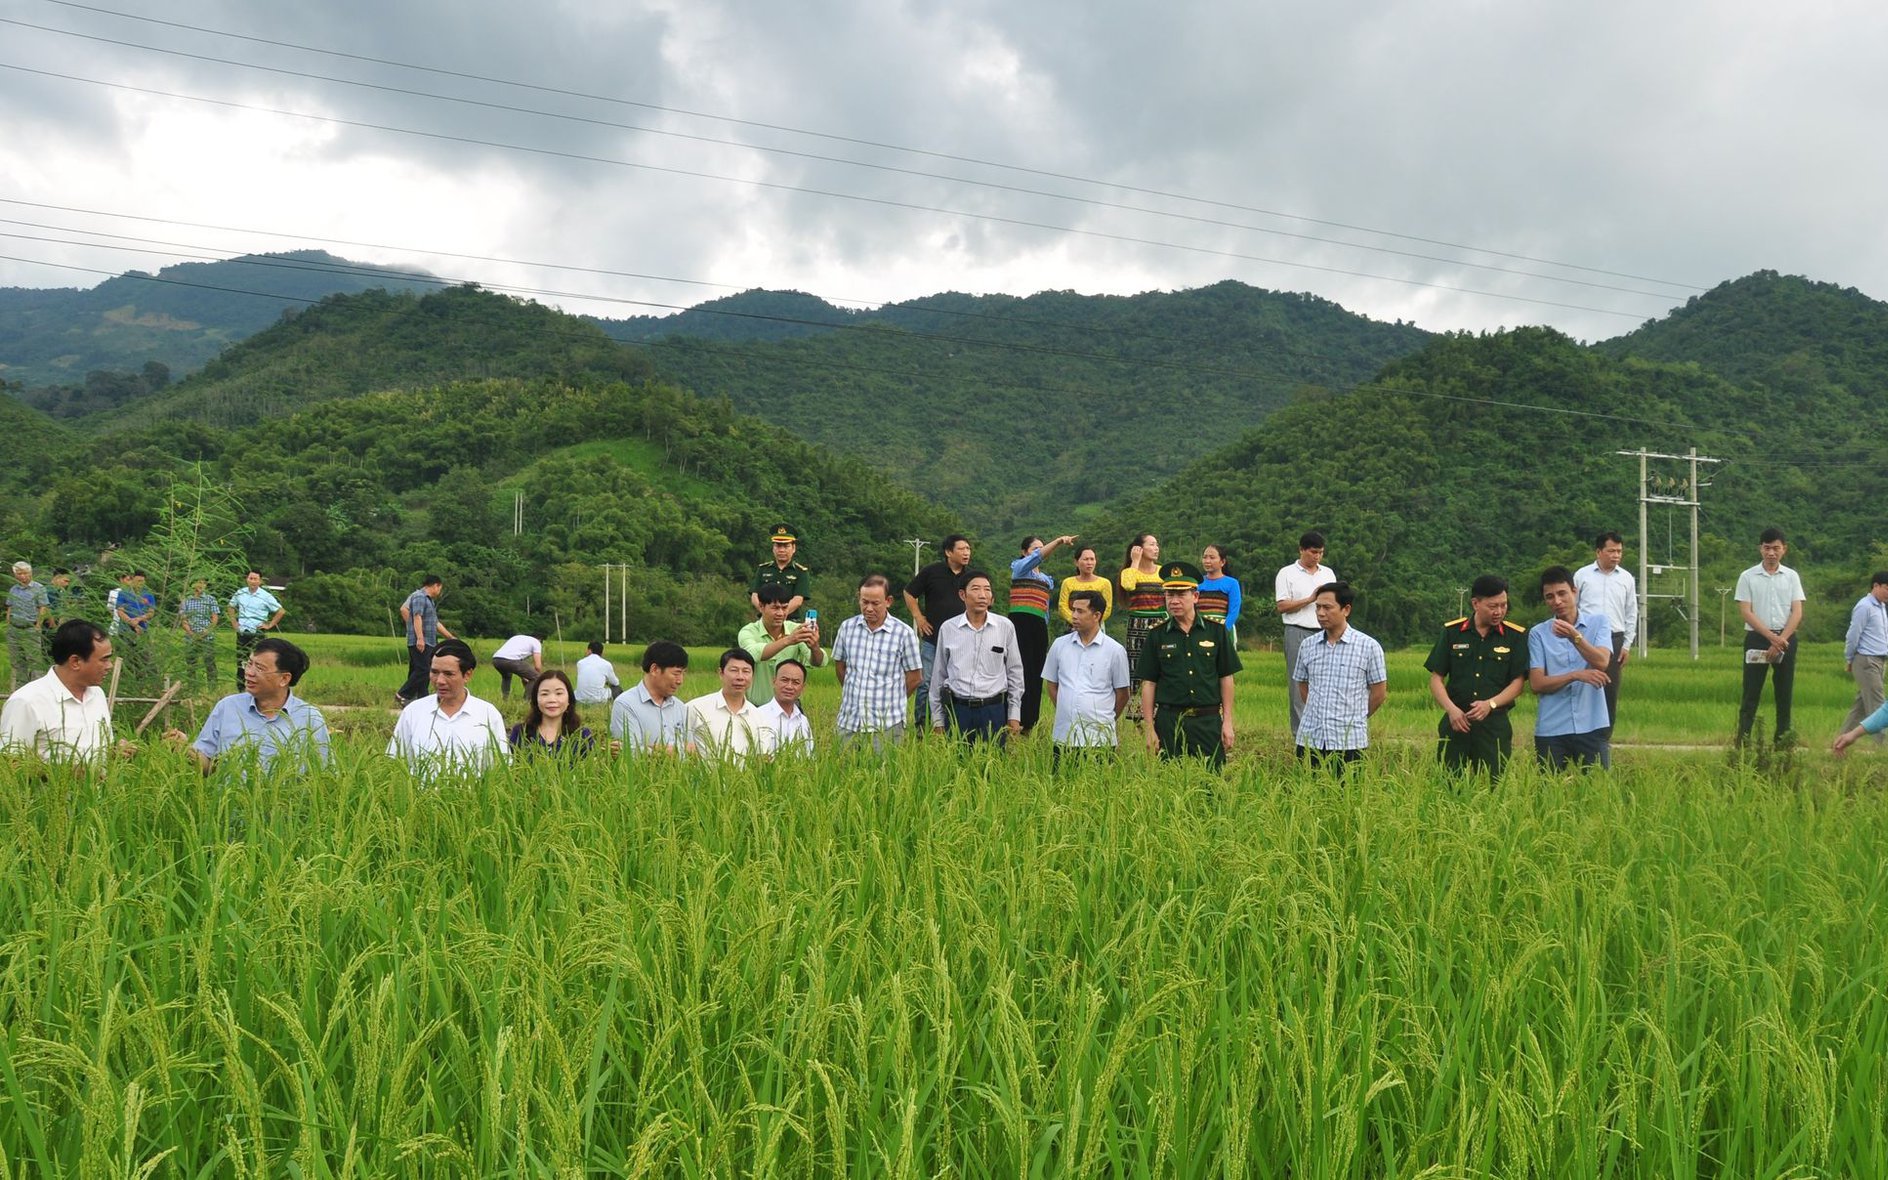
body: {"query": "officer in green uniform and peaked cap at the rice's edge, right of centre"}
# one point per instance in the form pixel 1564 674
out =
pixel 1187 675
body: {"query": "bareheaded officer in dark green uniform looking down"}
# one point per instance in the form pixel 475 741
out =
pixel 1477 671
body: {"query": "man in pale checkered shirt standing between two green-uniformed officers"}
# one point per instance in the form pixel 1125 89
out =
pixel 1341 681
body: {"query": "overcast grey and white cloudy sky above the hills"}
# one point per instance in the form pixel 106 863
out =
pixel 1460 165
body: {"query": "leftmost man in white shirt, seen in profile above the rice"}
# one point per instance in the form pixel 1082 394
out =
pixel 65 716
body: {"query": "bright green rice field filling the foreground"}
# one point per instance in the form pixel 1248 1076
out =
pixel 943 964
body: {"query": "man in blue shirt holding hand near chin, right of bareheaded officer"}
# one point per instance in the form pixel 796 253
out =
pixel 1568 662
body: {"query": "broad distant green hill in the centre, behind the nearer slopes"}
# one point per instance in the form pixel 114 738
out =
pixel 1030 413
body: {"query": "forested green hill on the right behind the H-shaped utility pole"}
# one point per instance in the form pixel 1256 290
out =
pixel 1498 454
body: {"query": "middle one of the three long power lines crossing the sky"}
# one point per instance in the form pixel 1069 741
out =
pixel 830 160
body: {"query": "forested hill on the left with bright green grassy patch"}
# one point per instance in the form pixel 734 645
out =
pixel 352 497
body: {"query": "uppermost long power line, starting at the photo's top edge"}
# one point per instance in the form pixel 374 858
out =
pixel 875 144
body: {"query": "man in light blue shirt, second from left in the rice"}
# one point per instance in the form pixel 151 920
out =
pixel 267 720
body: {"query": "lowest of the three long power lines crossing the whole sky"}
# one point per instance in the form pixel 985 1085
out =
pixel 813 192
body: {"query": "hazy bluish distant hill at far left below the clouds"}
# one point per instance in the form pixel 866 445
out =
pixel 180 318
